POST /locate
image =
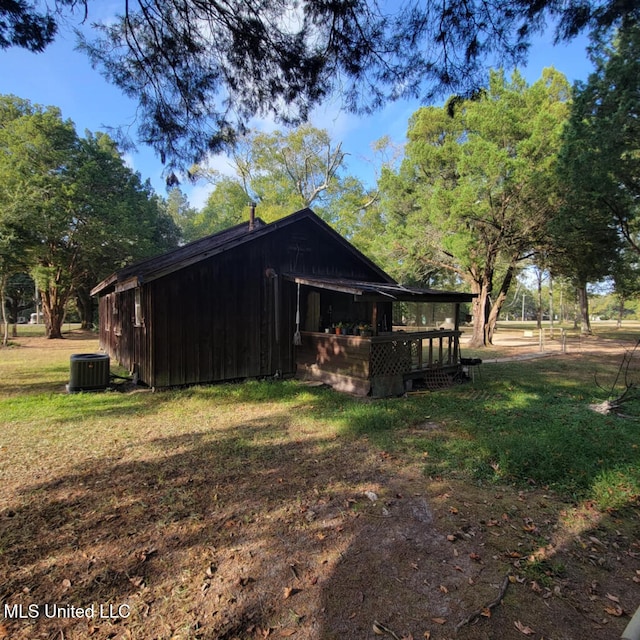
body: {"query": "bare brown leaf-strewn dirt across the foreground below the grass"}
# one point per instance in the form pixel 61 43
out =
pixel 309 540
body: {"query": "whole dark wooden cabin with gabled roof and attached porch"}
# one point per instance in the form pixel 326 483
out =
pixel 228 307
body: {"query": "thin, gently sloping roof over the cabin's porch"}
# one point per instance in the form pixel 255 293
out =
pixel 380 291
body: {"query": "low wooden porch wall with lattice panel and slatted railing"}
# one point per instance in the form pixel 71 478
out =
pixel 380 365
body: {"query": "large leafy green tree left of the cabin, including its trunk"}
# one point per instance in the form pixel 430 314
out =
pixel 71 211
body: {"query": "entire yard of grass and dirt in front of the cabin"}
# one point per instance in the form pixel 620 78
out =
pixel 197 506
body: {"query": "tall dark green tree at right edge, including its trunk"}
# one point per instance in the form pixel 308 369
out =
pixel 599 171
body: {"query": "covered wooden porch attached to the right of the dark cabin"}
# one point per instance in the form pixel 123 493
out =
pixel 377 339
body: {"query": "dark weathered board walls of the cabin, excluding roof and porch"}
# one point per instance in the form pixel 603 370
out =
pixel 225 317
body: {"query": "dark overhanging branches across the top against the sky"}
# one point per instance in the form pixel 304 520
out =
pixel 201 70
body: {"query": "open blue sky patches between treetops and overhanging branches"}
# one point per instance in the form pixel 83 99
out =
pixel 63 77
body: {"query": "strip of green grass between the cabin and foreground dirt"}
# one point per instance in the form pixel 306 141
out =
pixel 520 422
